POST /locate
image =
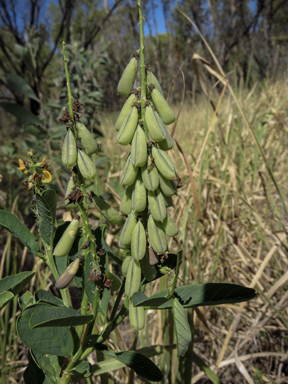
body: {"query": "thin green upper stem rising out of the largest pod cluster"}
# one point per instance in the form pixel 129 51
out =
pixel 143 72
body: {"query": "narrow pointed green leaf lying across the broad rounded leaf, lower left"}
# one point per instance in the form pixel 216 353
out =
pixel 50 316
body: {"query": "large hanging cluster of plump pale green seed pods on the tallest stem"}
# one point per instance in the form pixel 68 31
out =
pixel 150 178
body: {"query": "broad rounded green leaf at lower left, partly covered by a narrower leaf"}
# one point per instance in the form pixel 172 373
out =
pixel 51 340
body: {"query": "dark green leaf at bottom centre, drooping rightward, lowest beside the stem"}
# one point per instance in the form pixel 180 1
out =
pixel 139 363
